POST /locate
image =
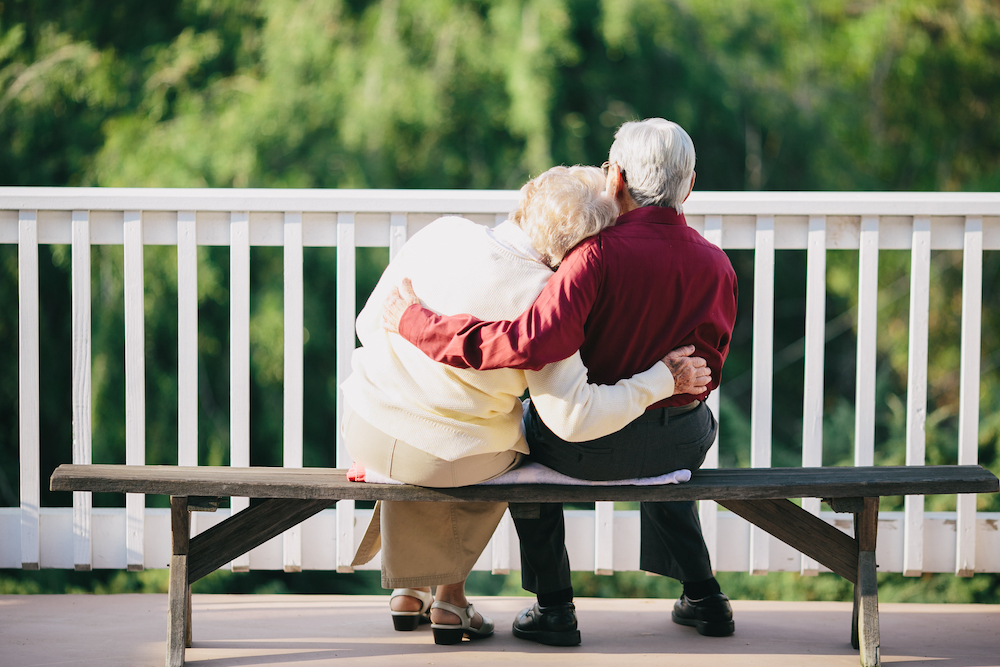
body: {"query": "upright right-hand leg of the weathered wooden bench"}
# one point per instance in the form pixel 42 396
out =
pixel 864 622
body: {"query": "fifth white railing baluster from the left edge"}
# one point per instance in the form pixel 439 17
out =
pixel 239 357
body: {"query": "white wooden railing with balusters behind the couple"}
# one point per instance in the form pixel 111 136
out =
pixel 604 540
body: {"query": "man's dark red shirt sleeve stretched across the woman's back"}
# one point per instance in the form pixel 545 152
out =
pixel 550 330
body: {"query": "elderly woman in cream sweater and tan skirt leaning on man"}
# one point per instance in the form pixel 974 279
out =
pixel 424 423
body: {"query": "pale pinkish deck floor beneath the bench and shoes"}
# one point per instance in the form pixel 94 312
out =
pixel 264 630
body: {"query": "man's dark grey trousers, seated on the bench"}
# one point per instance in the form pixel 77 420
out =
pixel 655 444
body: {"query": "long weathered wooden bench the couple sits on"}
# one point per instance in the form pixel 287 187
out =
pixel 287 497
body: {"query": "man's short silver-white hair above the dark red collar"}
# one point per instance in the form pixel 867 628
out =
pixel 658 159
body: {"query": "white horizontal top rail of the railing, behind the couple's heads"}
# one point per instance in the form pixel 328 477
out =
pixel 484 201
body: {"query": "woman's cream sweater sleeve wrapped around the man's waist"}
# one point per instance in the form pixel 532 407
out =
pixel 577 411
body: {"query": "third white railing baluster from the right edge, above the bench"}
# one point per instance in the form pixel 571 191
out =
pixel 864 402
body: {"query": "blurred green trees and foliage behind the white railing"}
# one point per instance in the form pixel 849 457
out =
pixel 777 94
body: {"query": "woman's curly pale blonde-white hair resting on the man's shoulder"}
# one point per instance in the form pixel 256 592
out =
pixel 561 207
